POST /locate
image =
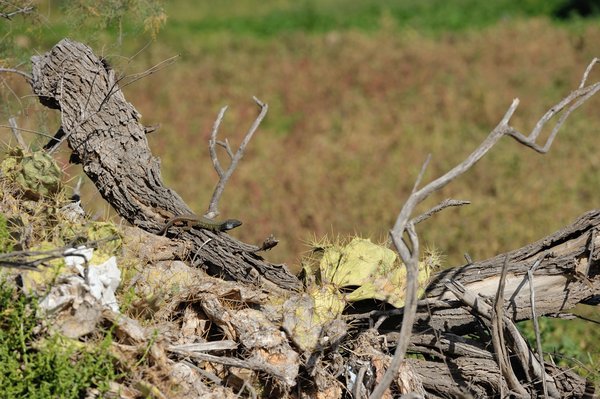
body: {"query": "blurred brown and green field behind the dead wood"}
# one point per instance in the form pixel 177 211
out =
pixel 359 93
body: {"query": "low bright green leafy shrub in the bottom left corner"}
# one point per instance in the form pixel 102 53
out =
pixel 33 365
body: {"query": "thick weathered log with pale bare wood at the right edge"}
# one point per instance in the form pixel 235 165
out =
pixel 568 274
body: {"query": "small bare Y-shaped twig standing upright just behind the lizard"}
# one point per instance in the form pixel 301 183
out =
pixel 225 175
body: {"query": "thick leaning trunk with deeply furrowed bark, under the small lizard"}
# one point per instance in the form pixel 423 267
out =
pixel 106 136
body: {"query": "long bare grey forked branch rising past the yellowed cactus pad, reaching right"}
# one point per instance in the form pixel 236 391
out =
pixel 405 225
